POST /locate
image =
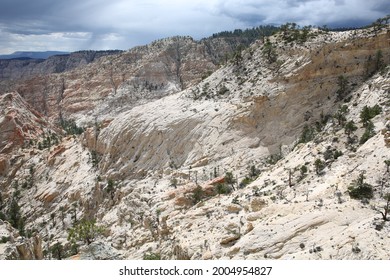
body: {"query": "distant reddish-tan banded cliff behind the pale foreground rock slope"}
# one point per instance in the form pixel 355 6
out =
pixel 117 80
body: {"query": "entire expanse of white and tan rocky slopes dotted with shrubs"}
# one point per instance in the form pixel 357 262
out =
pixel 161 139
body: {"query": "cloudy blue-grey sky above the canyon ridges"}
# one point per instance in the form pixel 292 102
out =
pixel 71 25
